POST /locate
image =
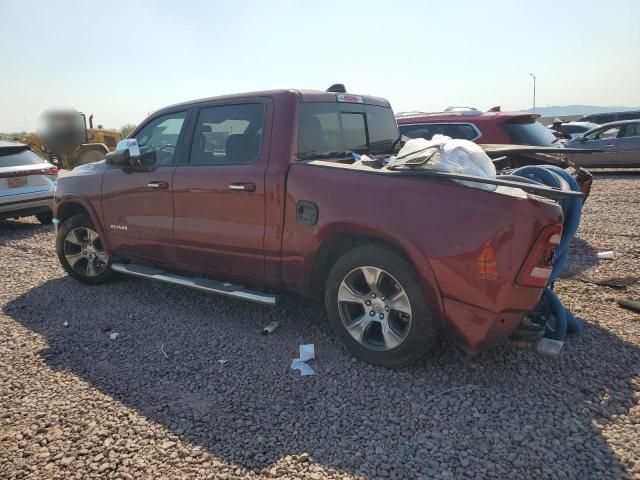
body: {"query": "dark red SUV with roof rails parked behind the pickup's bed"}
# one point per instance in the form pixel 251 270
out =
pixel 491 127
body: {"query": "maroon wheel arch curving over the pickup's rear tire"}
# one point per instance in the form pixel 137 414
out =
pixel 336 241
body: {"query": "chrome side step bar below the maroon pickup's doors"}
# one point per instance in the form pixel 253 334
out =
pixel 204 284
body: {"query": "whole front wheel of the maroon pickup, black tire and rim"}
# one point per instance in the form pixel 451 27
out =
pixel 81 251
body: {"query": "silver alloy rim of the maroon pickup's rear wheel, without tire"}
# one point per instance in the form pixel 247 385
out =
pixel 374 308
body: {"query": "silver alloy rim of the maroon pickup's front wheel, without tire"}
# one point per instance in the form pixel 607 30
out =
pixel 84 252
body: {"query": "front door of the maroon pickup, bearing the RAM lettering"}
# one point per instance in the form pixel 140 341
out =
pixel 137 201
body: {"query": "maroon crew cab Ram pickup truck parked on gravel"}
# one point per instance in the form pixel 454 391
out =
pixel 246 195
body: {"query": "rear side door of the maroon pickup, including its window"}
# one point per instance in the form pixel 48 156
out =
pixel 219 193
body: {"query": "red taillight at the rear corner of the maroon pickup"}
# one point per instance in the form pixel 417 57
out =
pixel 536 270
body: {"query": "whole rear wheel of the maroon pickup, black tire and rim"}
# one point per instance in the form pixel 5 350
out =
pixel 376 307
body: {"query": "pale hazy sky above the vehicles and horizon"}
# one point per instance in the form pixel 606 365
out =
pixel 122 60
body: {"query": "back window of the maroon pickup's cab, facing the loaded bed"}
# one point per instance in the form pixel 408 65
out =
pixel 335 128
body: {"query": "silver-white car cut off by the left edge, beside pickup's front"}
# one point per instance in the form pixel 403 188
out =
pixel 26 183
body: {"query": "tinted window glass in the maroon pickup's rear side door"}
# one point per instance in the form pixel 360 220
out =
pixel 228 135
